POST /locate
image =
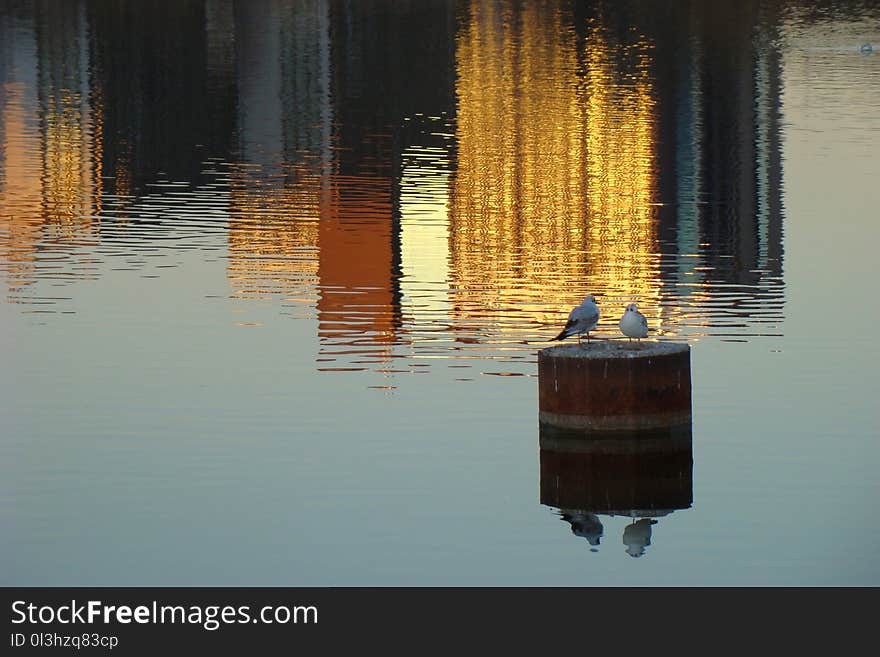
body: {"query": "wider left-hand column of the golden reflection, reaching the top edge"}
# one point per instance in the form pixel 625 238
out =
pixel 517 212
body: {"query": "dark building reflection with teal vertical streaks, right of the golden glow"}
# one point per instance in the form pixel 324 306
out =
pixel 727 135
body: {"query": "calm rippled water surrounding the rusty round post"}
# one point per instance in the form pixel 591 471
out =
pixel 276 275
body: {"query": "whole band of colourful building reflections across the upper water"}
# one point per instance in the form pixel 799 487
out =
pixel 557 150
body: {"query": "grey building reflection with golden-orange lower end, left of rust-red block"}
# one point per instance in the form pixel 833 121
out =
pixel 280 187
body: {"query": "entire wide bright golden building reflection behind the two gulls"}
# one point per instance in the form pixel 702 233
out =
pixel 556 171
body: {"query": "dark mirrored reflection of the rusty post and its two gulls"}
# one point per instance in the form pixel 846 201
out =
pixel 638 475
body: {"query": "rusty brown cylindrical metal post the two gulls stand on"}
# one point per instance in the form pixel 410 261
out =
pixel 615 386
